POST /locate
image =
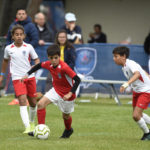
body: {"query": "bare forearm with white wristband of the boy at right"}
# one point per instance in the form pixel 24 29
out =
pixel 135 76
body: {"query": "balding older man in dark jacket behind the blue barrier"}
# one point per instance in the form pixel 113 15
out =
pixel 45 34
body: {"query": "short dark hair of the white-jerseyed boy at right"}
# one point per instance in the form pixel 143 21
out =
pixel 122 50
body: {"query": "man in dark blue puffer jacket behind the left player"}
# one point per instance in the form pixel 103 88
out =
pixel 30 29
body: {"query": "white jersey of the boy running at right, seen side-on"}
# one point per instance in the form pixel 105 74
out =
pixel 143 83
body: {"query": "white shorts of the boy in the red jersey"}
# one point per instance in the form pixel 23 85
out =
pixel 66 107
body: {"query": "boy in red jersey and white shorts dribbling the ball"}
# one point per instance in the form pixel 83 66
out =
pixel 65 83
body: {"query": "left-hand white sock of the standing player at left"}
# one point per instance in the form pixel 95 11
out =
pixel 24 115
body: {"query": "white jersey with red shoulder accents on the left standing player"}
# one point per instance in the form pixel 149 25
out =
pixel 20 59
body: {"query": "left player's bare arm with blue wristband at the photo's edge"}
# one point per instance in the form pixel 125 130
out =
pixel 3 70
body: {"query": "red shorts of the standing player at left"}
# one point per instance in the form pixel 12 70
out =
pixel 28 87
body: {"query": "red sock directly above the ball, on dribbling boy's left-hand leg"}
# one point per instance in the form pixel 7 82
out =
pixel 41 114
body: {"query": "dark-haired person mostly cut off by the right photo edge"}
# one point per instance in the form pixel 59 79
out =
pixel 147 48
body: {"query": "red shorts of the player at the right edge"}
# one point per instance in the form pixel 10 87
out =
pixel 141 100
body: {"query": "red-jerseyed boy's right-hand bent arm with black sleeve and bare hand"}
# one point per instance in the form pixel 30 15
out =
pixel 74 88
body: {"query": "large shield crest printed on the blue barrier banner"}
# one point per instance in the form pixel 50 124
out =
pixel 86 60
